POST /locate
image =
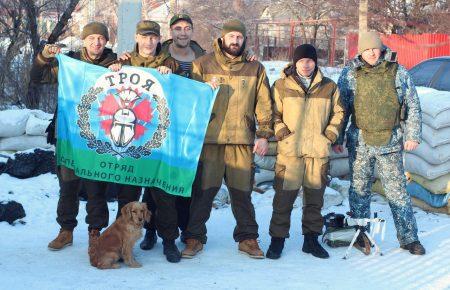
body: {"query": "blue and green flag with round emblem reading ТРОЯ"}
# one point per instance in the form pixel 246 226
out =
pixel 134 126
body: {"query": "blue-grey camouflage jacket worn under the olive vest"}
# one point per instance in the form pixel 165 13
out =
pixel 411 128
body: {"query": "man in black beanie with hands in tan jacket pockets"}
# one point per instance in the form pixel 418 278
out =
pixel 308 116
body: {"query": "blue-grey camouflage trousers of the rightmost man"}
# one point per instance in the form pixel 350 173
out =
pixel 390 169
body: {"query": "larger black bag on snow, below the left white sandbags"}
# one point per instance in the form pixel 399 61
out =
pixel 30 164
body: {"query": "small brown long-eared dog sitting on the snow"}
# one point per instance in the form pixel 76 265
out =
pixel 118 240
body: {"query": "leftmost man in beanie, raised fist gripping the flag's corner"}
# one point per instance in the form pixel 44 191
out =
pixel 45 71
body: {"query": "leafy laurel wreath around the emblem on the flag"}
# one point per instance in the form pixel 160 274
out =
pixel 104 147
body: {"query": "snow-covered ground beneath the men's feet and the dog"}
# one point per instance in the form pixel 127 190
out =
pixel 26 263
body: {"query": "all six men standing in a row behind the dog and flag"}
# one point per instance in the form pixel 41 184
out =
pixel 306 112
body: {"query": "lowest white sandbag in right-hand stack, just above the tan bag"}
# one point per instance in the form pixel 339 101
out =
pixel 417 165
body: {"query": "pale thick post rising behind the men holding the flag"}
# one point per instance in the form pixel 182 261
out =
pixel 130 13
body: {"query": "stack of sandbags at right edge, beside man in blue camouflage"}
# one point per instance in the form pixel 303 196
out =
pixel 428 166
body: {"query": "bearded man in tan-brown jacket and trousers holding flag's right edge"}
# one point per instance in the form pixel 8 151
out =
pixel 242 111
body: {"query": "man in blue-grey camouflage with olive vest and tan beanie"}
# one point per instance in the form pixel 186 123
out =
pixel 379 95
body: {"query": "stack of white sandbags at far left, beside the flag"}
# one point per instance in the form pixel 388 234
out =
pixel 23 129
